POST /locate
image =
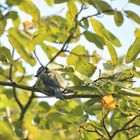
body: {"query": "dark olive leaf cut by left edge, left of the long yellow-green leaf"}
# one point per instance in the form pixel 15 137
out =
pixel 5 54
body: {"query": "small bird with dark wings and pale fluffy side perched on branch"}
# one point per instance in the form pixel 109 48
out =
pixel 49 82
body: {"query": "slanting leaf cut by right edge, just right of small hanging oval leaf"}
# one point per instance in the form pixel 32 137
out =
pixel 133 16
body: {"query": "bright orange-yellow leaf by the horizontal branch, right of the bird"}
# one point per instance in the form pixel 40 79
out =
pixel 108 102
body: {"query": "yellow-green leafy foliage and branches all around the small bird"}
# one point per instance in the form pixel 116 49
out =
pixel 110 109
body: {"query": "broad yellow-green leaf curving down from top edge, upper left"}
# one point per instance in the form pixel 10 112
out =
pixel 29 7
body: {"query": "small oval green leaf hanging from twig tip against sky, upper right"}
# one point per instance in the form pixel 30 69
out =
pixel 118 17
